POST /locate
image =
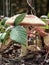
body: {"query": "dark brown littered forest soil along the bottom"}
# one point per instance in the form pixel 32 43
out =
pixel 11 57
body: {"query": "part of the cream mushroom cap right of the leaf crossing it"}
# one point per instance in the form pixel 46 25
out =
pixel 32 20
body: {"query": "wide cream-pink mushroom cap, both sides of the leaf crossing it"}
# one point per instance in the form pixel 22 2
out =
pixel 28 20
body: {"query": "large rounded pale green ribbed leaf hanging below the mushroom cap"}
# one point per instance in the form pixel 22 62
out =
pixel 19 35
